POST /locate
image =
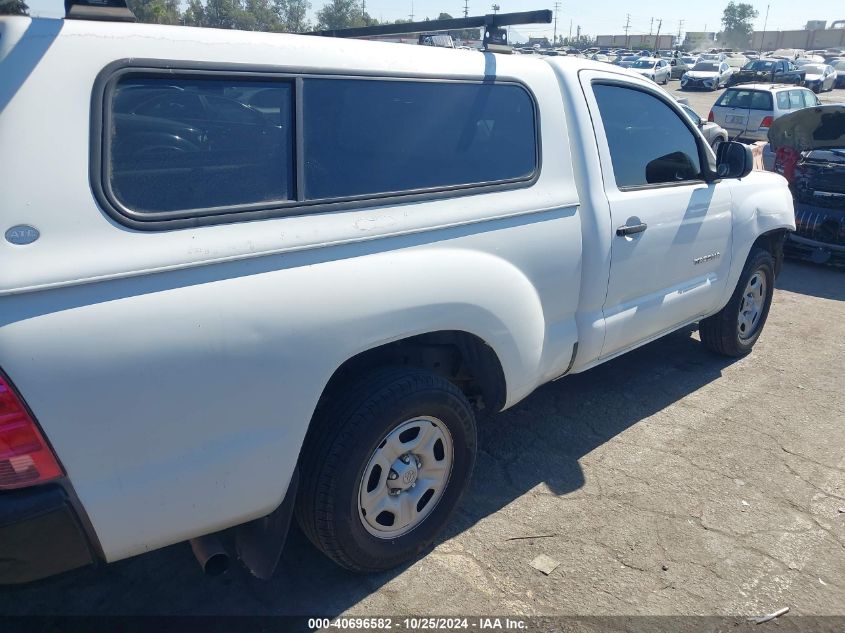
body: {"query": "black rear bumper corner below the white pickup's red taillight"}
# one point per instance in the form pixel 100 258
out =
pixel 40 535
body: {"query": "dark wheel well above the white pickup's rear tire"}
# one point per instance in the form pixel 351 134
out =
pixel 462 358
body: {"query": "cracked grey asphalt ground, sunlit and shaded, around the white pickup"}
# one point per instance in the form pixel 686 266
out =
pixel 668 481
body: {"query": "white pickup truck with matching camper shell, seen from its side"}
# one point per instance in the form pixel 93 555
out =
pixel 246 276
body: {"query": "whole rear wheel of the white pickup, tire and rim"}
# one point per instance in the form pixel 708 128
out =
pixel 384 467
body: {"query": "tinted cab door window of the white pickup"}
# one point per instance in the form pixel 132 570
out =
pixel 649 143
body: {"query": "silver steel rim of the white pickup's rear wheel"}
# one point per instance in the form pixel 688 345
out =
pixel 405 477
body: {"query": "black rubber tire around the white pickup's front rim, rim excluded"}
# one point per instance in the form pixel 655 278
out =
pixel 720 333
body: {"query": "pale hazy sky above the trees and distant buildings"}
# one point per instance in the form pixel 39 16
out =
pixel 602 17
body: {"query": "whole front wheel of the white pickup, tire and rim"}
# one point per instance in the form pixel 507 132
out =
pixel 734 330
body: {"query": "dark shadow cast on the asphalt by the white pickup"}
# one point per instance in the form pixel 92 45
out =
pixel 537 442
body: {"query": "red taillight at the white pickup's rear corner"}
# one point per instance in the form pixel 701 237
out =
pixel 25 458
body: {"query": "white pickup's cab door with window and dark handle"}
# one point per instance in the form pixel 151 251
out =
pixel 671 242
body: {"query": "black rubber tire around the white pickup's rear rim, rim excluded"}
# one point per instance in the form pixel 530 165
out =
pixel 343 437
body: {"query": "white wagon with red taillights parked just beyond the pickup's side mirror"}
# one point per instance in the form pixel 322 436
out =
pixel 747 111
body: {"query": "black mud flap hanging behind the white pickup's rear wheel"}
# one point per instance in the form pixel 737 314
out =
pixel 259 543
